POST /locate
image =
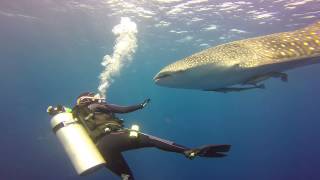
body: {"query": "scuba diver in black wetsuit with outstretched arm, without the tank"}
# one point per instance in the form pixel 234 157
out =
pixel 111 138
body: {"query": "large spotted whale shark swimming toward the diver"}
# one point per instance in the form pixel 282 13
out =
pixel 244 64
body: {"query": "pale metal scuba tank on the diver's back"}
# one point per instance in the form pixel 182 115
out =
pixel 80 148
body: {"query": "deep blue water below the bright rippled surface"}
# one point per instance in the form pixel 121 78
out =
pixel 274 132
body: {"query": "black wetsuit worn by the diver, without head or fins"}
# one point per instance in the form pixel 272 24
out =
pixel 112 144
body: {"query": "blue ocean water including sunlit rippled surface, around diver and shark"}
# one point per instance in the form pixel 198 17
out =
pixel 51 51
